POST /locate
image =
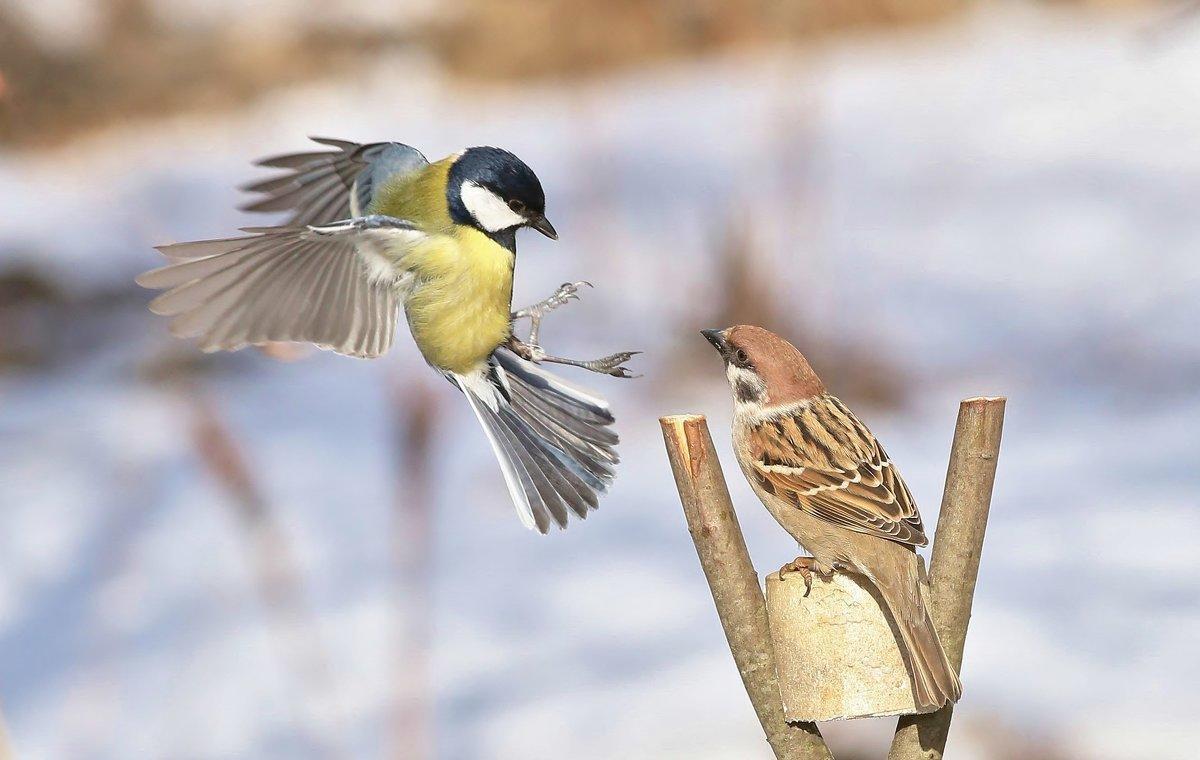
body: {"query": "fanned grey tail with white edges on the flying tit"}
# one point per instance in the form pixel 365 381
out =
pixel 554 441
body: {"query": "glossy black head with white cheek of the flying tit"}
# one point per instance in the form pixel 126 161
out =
pixel 509 179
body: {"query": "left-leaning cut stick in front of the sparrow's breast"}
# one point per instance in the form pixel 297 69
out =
pixel 733 579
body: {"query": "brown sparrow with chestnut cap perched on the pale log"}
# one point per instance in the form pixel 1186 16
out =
pixel 829 482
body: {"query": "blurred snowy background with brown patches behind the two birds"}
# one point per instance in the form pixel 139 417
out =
pixel 290 554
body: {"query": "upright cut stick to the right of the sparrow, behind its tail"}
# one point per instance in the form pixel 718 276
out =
pixel 955 566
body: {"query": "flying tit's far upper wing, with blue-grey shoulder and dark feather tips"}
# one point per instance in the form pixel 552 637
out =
pixel 326 185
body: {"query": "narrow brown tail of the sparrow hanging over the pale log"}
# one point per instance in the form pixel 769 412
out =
pixel 934 680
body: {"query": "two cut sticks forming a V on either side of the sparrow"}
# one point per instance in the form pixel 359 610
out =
pixel 955 570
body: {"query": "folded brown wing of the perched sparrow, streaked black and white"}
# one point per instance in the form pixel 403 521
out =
pixel 825 462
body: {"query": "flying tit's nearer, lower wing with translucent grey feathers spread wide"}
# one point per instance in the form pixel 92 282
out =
pixel 316 285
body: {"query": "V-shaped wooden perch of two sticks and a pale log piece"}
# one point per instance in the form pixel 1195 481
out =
pixel 860 672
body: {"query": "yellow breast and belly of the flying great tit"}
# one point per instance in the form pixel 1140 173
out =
pixel 459 310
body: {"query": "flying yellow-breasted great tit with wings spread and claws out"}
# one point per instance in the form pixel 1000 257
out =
pixel 375 229
